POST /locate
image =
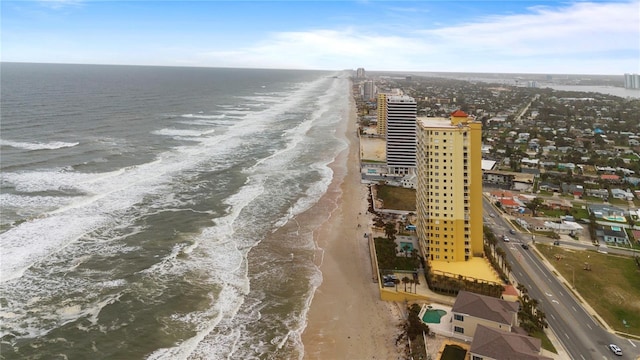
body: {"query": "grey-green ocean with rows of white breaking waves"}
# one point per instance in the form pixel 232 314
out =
pixel 154 212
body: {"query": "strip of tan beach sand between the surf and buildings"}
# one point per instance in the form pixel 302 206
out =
pixel 347 319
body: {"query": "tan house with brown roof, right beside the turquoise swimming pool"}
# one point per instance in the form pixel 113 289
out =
pixel 471 310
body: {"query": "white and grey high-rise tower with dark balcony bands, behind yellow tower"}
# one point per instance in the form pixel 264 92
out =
pixel 401 134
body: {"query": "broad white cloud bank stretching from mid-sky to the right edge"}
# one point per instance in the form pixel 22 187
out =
pixel 582 33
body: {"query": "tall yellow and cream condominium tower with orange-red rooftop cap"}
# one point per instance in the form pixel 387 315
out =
pixel 449 188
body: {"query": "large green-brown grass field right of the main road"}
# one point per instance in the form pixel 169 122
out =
pixel 611 287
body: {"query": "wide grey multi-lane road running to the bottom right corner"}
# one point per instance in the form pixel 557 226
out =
pixel 580 334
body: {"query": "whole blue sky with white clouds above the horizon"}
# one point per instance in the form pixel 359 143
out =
pixel 552 37
